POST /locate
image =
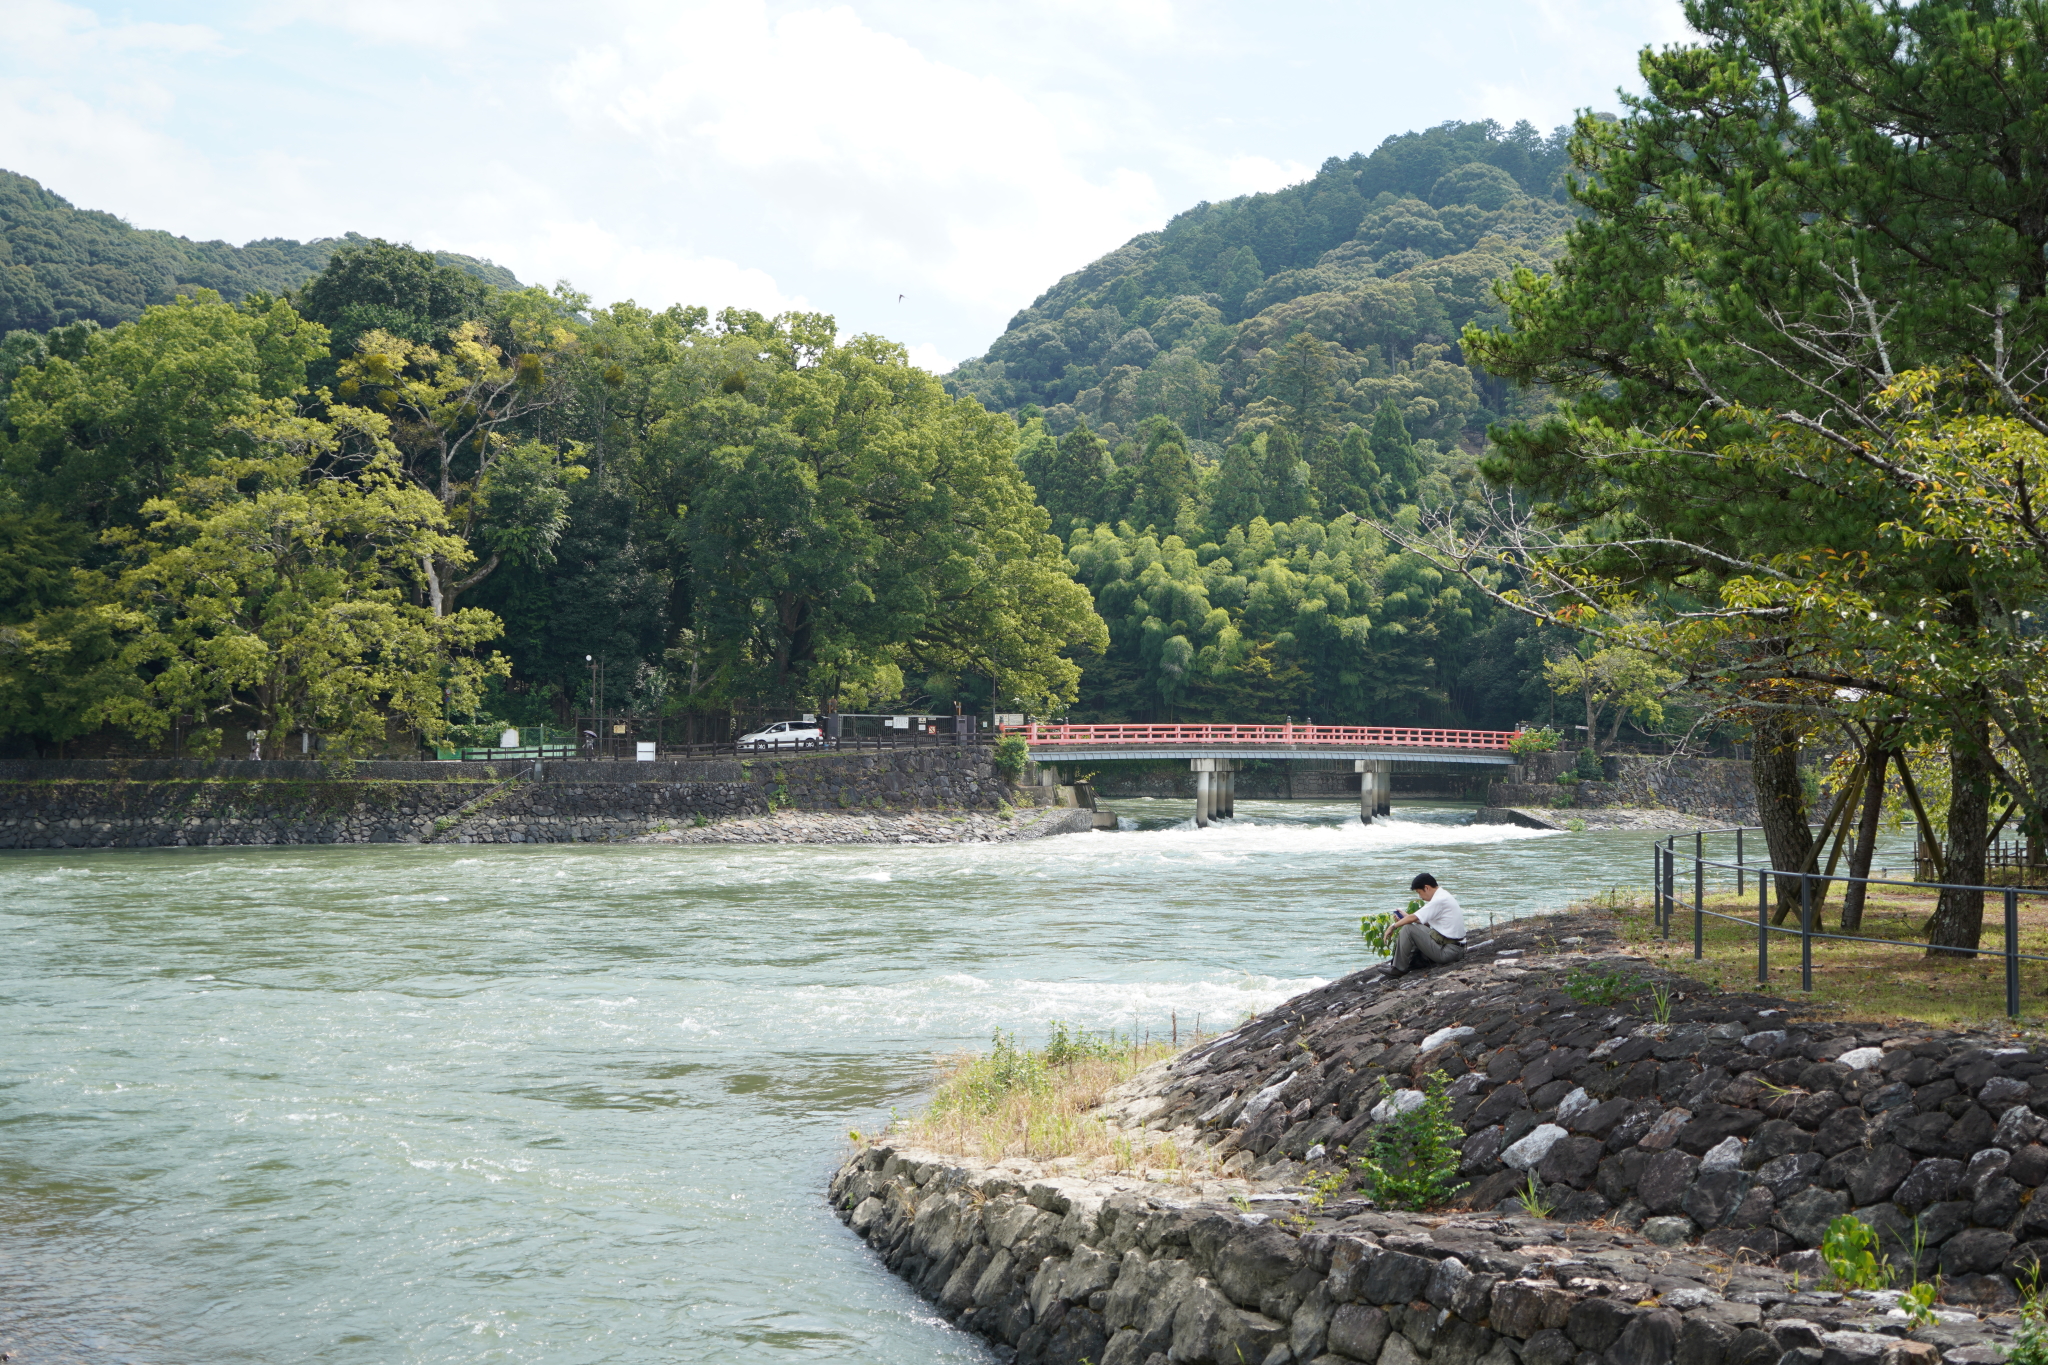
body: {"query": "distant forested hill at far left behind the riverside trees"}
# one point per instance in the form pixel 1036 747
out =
pixel 62 265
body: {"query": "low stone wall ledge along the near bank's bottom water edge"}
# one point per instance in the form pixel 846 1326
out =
pixel 1066 1270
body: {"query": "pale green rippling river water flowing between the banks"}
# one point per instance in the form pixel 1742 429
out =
pixel 579 1104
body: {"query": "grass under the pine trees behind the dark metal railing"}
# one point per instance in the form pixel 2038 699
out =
pixel 1865 981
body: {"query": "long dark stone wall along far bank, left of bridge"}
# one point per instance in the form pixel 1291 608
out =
pixel 175 803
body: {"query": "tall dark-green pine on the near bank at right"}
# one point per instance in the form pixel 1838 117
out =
pixel 1809 206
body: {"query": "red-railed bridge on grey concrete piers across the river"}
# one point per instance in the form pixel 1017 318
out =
pixel 1213 752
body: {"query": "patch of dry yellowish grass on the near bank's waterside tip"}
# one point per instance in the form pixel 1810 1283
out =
pixel 1017 1102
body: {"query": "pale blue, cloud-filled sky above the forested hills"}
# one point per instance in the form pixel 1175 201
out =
pixel 914 169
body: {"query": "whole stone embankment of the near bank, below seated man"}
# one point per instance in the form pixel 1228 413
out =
pixel 1693 1168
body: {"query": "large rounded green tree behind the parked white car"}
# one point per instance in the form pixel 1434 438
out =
pixel 849 519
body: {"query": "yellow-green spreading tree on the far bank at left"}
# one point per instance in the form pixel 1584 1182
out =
pixel 275 595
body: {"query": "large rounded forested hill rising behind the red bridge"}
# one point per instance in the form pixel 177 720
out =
pixel 1381 257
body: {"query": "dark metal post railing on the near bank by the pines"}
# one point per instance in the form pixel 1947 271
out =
pixel 1666 904
